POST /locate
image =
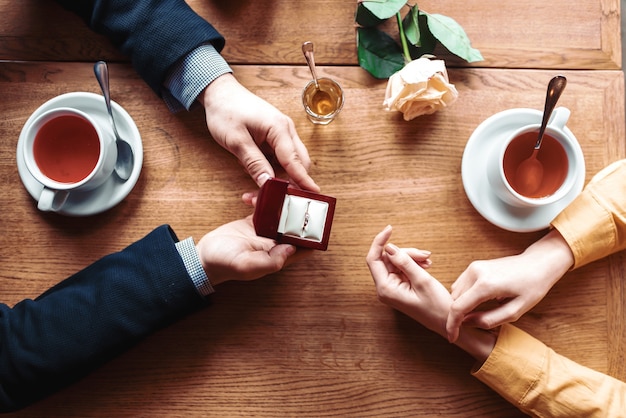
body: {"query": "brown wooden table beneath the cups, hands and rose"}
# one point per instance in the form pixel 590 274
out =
pixel 313 340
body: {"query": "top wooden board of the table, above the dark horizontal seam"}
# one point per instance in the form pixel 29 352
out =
pixel 540 34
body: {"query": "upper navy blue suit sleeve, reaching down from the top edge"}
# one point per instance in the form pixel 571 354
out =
pixel 155 34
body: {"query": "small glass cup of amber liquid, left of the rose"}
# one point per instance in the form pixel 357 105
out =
pixel 323 105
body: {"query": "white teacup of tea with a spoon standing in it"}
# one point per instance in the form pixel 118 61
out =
pixel 560 155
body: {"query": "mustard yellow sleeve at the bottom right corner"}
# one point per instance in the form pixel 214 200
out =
pixel 542 383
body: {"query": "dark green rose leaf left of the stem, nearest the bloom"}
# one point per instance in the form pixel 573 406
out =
pixel 378 53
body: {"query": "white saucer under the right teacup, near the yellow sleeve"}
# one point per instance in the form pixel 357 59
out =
pixel 474 174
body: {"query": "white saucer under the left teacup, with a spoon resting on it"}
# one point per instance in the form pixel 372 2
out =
pixel 113 190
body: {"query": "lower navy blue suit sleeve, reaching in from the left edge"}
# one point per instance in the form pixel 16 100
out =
pixel 92 316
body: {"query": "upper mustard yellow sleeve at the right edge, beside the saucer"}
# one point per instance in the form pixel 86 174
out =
pixel 594 224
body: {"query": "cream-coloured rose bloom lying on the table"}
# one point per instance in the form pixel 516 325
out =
pixel 420 88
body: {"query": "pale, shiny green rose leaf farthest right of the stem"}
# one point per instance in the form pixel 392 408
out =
pixel 452 36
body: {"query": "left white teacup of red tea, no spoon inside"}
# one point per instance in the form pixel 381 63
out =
pixel 67 151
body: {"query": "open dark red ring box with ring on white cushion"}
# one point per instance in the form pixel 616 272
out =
pixel 293 216
